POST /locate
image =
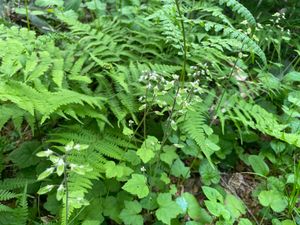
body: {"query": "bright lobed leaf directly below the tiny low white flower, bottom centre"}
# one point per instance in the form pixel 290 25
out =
pixel 137 185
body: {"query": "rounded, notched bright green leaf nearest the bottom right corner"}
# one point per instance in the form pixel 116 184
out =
pixel 273 199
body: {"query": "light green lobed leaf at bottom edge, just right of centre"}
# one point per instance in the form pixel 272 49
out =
pixel 168 209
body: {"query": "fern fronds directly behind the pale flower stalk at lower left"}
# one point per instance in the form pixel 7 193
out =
pixel 102 147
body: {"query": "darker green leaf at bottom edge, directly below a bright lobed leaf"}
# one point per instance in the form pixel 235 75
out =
pixel 130 214
